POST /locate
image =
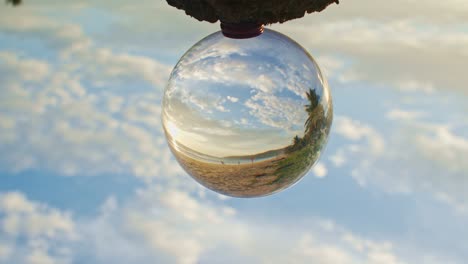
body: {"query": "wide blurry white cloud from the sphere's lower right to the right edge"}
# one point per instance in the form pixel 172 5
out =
pixel 418 156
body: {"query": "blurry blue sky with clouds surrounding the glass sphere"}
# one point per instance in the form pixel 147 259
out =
pixel 86 175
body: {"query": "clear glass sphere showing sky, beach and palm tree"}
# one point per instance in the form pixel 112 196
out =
pixel 247 117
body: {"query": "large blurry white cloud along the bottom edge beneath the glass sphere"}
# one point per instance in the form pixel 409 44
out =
pixel 174 226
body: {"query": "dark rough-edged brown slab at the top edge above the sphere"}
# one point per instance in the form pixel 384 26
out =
pixel 253 11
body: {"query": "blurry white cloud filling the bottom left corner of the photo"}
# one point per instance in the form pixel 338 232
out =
pixel 33 232
